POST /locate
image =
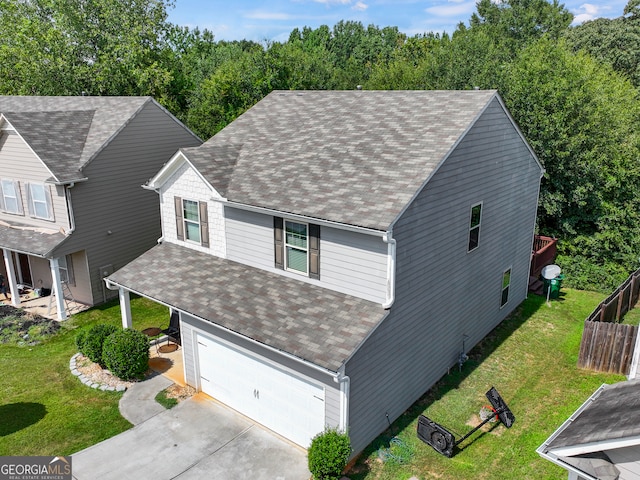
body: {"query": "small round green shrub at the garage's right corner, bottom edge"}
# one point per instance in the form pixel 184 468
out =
pixel 328 454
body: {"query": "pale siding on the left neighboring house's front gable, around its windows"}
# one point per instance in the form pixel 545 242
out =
pixel 19 163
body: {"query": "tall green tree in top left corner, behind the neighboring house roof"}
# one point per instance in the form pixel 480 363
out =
pixel 101 47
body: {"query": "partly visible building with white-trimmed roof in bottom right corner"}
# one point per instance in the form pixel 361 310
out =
pixel 601 440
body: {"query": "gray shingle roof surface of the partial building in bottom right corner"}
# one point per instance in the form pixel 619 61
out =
pixel 612 414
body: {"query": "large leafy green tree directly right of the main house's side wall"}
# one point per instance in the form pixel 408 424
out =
pixel 581 117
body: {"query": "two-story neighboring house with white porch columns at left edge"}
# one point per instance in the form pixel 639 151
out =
pixel 71 207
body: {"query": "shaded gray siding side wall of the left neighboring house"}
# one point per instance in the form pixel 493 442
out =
pixel 116 219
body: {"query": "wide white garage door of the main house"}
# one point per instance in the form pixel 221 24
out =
pixel 279 400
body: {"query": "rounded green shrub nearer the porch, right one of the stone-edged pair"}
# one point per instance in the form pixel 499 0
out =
pixel 126 353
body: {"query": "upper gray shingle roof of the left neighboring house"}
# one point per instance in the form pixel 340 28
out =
pixel 66 132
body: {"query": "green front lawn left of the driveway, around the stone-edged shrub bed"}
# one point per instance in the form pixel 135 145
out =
pixel 44 410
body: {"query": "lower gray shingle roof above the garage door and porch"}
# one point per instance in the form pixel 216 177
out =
pixel 318 325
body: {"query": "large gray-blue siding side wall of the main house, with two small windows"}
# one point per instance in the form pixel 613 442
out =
pixel 445 295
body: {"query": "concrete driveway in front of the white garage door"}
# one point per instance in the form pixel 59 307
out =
pixel 199 438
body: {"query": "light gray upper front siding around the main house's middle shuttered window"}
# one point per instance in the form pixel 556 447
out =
pixel 351 263
